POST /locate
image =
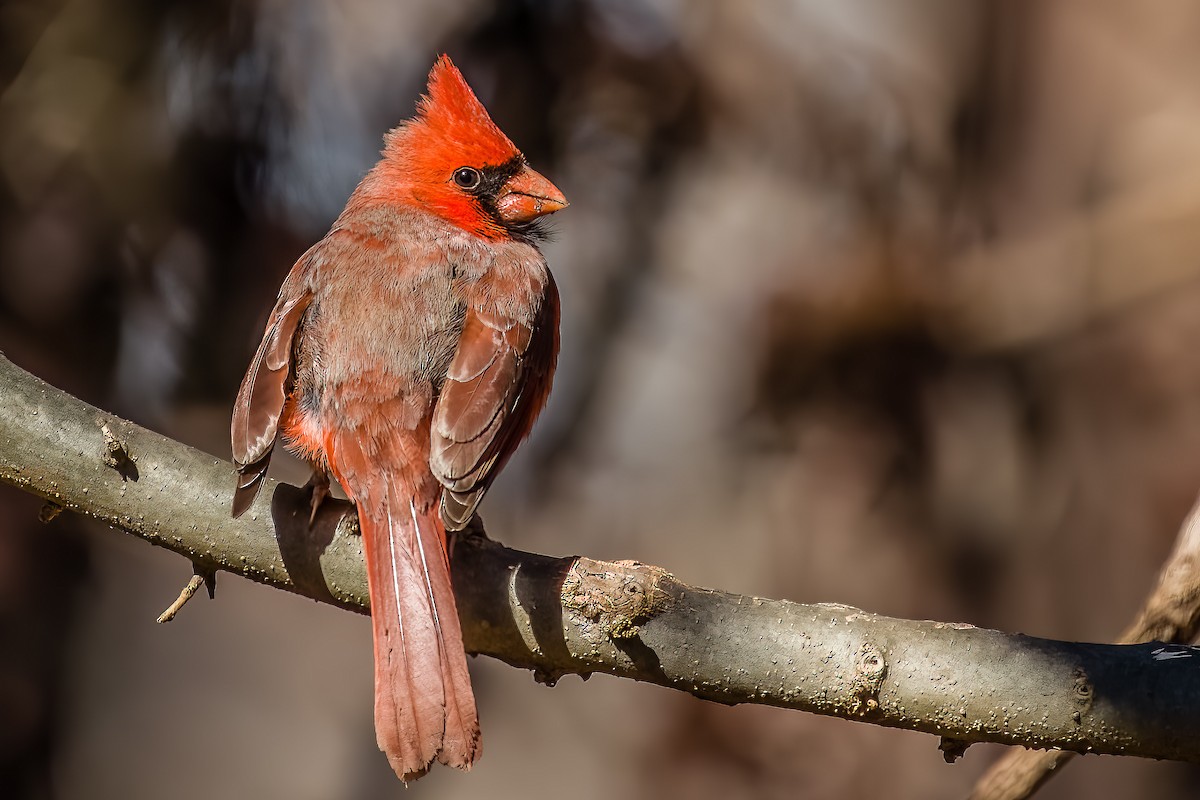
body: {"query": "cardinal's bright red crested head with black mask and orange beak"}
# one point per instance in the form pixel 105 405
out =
pixel 453 160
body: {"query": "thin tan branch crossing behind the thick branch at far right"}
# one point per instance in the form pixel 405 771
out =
pixel 1172 613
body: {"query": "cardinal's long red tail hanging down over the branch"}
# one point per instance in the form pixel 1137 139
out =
pixel 425 708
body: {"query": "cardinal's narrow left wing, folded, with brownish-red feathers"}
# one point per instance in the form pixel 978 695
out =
pixel 256 414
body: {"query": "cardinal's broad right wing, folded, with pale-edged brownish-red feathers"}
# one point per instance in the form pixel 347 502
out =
pixel 495 389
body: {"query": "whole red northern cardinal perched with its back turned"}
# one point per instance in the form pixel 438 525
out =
pixel 409 354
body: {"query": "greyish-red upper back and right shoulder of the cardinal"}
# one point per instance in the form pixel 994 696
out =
pixel 391 299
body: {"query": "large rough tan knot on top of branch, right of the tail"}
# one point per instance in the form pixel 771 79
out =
pixel 617 597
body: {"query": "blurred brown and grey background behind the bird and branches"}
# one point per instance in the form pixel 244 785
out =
pixel 892 304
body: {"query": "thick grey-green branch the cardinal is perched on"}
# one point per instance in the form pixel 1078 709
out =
pixel 563 616
